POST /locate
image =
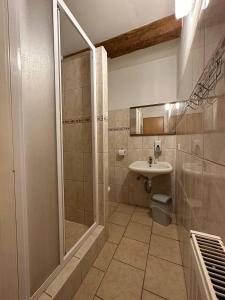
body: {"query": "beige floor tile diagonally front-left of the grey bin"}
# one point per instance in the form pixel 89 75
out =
pixel 139 232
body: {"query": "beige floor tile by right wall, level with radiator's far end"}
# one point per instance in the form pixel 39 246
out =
pixel 165 248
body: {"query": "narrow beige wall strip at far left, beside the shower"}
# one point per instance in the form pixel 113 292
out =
pixel 8 243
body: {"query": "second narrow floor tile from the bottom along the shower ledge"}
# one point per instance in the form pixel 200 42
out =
pixel 103 260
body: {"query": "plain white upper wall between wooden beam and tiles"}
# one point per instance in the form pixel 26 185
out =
pixel 144 77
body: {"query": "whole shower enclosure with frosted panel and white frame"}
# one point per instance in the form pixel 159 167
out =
pixel 53 82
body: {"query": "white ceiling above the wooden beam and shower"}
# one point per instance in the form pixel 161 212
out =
pixel 104 19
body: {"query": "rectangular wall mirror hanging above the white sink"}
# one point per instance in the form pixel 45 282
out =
pixel 158 119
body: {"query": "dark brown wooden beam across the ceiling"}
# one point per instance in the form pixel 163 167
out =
pixel 157 32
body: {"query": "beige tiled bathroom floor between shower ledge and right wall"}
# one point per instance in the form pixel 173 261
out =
pixel 140 261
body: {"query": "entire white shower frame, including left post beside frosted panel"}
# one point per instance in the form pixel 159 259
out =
pixel 20 190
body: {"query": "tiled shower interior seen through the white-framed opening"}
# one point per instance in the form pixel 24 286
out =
pixel 77 131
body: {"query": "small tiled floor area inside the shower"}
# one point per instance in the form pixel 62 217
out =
pixel 73 232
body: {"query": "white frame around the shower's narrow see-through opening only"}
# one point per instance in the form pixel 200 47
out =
pixel 58 84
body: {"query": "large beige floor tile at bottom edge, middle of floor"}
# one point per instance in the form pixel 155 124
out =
pixel 121 282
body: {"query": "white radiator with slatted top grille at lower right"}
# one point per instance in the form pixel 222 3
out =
pixel 207 267
